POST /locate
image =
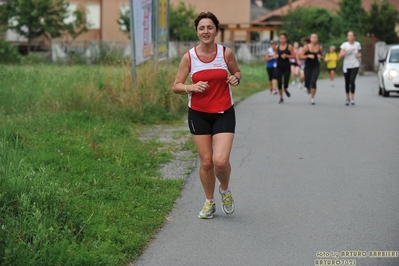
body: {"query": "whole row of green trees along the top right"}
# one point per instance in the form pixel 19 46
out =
pixel 378 24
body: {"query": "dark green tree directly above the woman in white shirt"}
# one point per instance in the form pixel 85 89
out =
pixel 353 15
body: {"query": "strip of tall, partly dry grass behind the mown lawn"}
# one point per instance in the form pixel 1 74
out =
pixel 106 90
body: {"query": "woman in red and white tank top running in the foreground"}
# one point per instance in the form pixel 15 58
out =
pixel 211 116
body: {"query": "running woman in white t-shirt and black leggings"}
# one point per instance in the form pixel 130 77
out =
pixel 350 51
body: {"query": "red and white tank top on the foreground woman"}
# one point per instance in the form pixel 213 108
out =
pixel 217 97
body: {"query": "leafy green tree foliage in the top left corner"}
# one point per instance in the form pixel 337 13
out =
pixel 33 19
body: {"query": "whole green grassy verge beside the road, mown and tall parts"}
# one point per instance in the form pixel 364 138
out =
pixel 77 185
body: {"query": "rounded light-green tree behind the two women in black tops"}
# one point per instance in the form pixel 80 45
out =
pixel 302 22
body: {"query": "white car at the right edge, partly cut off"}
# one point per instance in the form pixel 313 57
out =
pixel 388 74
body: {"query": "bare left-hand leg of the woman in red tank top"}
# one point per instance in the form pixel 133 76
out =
pixel 206 169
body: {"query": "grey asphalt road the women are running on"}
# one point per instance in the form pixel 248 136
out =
pixel 305 179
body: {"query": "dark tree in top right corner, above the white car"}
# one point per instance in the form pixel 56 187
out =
pixel 381 22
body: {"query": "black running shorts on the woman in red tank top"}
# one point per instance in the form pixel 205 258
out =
pixel 201 123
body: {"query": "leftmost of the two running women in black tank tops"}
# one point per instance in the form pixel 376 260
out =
pixel 283 56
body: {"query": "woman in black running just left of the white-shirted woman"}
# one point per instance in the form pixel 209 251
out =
pixel 312 53
